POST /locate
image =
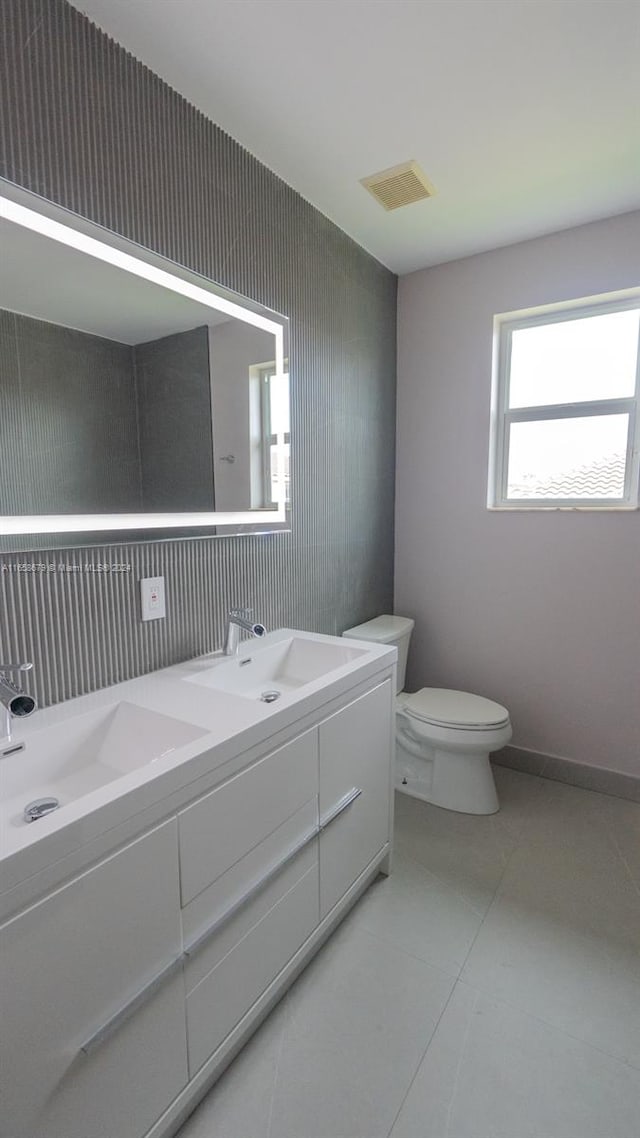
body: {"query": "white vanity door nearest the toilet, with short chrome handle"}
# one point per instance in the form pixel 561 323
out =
pixel 355 780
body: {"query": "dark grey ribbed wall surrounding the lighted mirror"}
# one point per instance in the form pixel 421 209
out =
pixel 91 128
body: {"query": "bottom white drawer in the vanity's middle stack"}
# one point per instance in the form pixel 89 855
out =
pixel 226 994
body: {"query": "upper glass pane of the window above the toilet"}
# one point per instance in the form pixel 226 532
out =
pixel 573 361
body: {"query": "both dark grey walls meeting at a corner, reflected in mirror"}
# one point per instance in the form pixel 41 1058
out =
pixel 94 426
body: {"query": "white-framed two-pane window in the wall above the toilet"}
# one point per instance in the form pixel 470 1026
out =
pixel 565 410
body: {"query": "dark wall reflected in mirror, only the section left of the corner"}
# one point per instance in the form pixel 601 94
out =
pixel 75 395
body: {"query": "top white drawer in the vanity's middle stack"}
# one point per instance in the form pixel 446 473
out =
pixel 221 828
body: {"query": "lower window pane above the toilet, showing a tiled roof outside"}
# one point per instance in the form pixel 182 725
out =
pixel 569 458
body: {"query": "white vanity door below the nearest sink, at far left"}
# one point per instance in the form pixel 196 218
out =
pixel 68 966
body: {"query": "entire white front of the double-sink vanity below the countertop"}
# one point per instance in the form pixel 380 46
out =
pixel 125 992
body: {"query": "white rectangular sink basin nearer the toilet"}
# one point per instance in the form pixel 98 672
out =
pixel 268 672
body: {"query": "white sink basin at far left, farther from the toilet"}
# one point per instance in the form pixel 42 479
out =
pixel 81 755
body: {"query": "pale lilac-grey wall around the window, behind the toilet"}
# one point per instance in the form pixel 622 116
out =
pixel 538 611
